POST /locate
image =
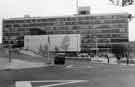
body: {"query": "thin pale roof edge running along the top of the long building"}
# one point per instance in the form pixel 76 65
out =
pixel 66 16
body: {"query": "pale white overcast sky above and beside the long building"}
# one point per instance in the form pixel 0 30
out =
pixel 18 8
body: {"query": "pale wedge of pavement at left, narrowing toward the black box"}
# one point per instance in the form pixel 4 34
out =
pixel 19 64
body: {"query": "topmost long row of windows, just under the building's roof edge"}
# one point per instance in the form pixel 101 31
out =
pixel 101 22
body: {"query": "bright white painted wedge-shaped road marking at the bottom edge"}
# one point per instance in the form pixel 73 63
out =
pixel 62 82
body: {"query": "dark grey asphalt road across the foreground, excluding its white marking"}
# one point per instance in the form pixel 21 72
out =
pixel 96 75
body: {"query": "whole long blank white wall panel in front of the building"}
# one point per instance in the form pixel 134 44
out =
pixel 61 42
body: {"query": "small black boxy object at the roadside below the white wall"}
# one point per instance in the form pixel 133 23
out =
pixel 59 59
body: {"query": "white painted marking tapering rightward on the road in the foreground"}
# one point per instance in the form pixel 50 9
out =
pixel 47 83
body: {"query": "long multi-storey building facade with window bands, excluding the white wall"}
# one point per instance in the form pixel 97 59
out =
pixel 98 32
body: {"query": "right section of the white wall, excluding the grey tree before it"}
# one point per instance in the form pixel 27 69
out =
pixel 74 41
